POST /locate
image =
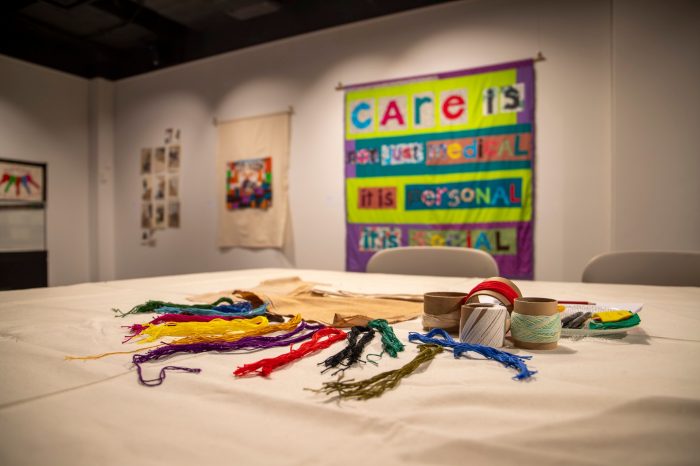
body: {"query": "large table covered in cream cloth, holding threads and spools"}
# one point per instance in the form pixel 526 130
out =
pixel 635 400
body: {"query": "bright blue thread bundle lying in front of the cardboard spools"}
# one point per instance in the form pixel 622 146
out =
pixel 507 359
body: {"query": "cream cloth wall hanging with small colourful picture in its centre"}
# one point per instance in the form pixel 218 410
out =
pixel 252 164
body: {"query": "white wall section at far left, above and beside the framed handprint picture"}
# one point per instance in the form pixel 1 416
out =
pixel 43 118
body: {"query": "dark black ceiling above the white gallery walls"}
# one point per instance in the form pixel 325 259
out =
pixel 120 38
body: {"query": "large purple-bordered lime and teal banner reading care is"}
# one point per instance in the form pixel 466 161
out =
pixel 443 160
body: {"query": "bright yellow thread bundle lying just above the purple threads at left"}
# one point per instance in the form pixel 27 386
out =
pixel 213 327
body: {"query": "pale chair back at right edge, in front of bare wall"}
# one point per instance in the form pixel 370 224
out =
pixel 645 268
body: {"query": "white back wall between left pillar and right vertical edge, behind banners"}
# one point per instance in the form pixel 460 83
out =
pixel 573 121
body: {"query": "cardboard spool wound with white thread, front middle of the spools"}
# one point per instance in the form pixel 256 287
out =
pixel 484 324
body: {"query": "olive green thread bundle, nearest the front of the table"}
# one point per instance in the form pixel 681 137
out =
pixel 377 385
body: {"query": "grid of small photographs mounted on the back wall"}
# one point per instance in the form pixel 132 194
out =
pixel 160 188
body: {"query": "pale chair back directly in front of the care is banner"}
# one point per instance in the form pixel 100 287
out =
pixel 442 261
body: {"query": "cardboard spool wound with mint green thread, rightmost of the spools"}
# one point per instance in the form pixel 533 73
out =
pixel 535 323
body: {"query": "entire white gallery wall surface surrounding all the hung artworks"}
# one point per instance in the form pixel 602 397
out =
pixel 617 108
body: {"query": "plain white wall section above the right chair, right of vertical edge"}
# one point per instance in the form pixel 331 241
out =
pixel 657 119
